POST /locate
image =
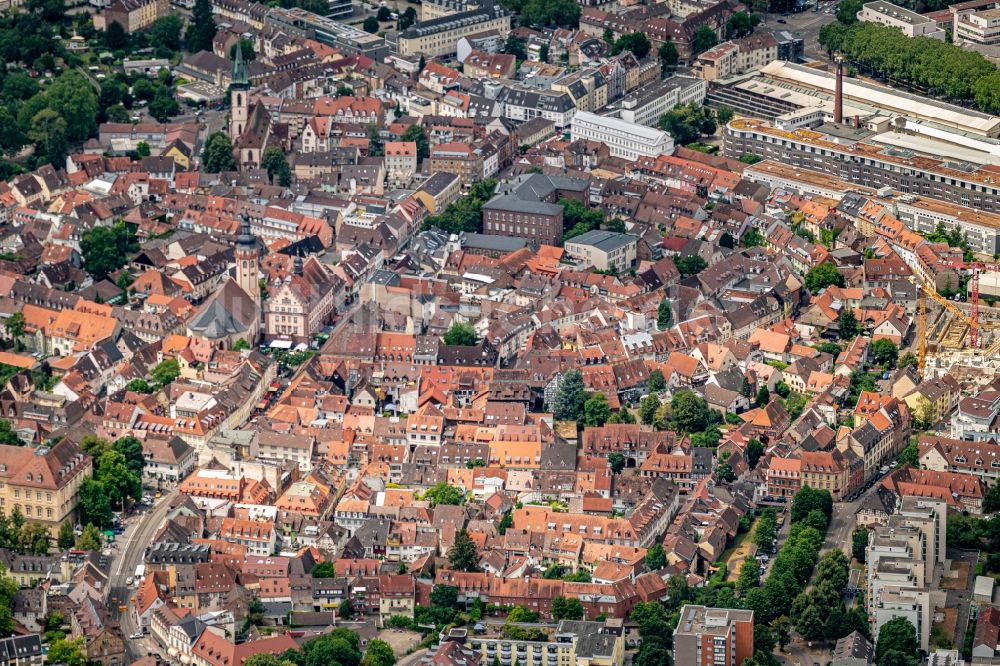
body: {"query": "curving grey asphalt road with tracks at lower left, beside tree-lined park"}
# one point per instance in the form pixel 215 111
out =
pixel 138 535
